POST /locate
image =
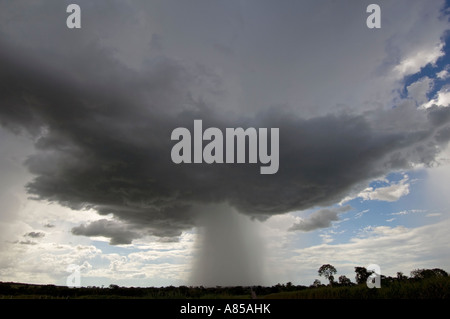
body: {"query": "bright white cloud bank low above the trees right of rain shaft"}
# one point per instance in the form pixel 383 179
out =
pixel 393 248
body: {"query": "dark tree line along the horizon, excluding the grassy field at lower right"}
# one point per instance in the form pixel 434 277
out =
pixel 19 290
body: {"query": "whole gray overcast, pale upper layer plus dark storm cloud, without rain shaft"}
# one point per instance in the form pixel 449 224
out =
pixel 100 103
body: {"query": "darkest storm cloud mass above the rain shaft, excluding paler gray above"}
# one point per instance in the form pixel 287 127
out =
pixel 102 135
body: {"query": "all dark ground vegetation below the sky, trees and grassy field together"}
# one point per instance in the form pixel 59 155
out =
pixel 422 284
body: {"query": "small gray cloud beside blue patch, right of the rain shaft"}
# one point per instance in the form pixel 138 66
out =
pixel 319 219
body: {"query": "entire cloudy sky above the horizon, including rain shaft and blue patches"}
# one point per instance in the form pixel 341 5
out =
pixel 86 117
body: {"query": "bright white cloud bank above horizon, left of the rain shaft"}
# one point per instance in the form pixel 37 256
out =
pixel 157 263
